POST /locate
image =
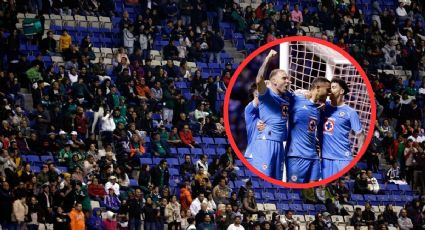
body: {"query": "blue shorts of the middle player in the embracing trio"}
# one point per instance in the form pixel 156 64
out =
pixel 300 170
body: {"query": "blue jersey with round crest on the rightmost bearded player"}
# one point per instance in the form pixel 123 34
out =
pixel 339 121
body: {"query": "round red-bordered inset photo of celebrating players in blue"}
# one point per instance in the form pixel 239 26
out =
pixel 299 112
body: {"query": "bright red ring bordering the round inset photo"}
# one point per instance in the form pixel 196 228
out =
pixel 232 140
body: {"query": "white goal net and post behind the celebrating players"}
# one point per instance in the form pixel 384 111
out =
pixel 304 61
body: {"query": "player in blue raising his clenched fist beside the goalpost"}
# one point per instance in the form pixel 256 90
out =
pixel 267 148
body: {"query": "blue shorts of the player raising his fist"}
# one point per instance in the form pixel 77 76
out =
pixel 267 157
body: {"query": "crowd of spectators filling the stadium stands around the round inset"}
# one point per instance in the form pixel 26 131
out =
pixel 94 129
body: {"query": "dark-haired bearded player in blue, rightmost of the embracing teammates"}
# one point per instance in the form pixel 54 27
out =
pixel 340 120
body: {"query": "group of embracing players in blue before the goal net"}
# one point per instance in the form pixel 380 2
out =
pixel 299 137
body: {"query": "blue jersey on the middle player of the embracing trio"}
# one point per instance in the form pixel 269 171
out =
pixel 304 122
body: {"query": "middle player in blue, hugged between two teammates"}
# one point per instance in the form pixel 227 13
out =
pixel 305 125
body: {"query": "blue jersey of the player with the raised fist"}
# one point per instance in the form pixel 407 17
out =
pixel 274 112
